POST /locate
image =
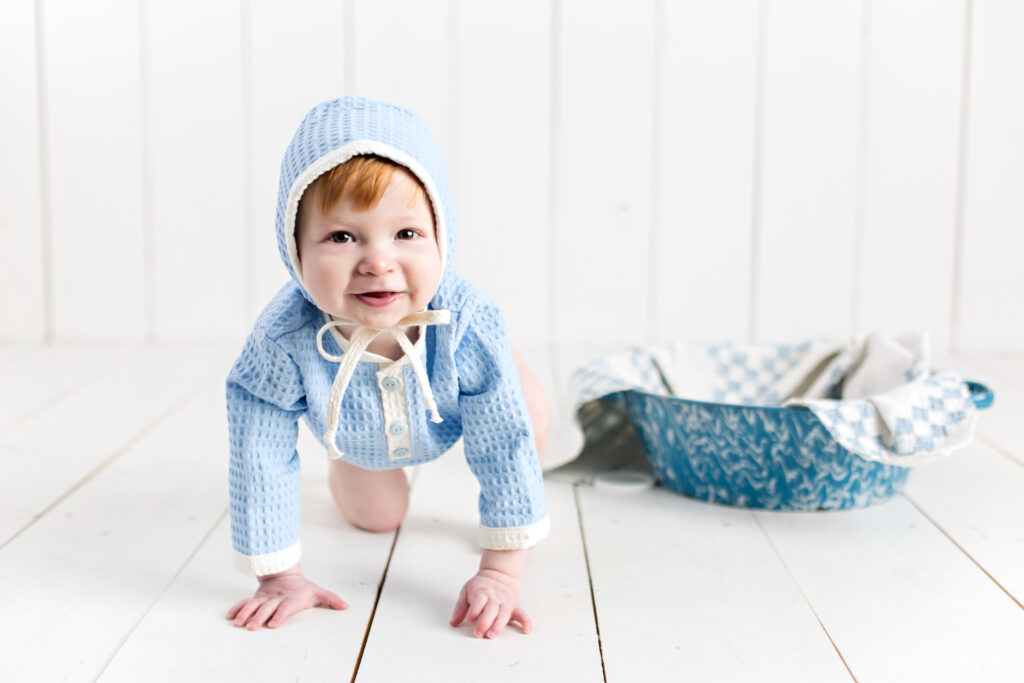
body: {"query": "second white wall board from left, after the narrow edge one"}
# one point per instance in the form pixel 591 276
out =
pixel 95 124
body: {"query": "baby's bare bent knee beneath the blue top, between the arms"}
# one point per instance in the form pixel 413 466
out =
pixel 375 501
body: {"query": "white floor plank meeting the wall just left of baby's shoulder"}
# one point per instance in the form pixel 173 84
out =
pixel 48 455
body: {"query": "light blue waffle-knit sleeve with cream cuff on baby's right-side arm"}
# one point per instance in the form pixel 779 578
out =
pixel 498 436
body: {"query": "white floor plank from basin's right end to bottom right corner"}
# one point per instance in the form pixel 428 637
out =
pixel 900 601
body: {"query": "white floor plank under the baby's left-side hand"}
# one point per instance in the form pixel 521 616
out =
pixel 186 637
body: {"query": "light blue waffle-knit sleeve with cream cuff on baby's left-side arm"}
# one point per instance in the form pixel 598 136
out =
pixel 266 399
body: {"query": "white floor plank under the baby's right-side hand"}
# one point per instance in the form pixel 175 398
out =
pixel 438 552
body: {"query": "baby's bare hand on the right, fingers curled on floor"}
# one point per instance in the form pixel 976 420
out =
pixel 492 600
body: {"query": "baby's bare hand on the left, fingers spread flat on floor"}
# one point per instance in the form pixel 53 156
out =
pixel 280 596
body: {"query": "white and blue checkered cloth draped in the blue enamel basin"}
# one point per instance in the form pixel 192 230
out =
pixel 891 409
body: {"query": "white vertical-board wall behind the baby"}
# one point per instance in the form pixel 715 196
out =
pixel 624 172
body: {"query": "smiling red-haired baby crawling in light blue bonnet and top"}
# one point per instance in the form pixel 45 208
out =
pixel 390 357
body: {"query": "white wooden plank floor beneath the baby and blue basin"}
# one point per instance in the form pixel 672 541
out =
pixel 115 558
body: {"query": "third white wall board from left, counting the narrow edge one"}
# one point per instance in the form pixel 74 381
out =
pixel 195 102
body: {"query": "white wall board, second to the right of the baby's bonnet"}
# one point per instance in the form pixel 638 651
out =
pixel 603 220
